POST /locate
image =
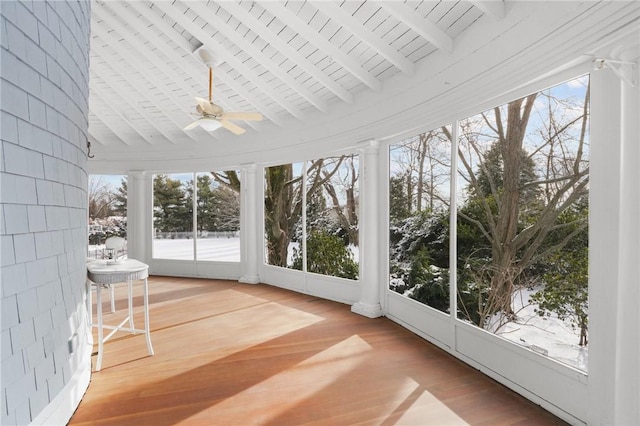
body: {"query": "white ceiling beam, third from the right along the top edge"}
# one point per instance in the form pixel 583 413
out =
pixel 353 26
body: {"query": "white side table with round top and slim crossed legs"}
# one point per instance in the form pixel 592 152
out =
pixel 106 274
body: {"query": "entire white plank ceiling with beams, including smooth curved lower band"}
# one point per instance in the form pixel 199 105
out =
pixel 326 75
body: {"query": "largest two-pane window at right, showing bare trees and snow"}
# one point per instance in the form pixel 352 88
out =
pixel 521 230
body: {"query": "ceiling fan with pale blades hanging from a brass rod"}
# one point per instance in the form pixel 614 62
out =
pixel 213 117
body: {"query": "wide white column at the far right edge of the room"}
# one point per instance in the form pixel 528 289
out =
pixel 614 294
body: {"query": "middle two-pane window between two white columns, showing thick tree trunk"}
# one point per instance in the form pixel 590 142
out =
pixel 311 216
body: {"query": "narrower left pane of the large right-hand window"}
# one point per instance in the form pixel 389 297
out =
pixel 419 187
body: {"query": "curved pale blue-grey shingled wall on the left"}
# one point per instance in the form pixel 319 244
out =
pixel 43 189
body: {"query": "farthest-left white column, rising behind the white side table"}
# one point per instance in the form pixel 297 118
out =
pixel 136 216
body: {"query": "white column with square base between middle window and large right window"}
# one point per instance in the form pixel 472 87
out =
pixel 369 304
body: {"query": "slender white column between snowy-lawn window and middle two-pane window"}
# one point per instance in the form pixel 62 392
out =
pixel 249 240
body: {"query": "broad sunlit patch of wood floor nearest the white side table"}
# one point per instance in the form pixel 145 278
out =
pixel 220 335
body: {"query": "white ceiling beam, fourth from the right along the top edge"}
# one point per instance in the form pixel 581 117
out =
pixel 291 20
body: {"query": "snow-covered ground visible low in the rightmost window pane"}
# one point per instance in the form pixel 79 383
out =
pixel 550 336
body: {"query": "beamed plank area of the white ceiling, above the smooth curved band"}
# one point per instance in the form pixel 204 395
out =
pixel 294 62
